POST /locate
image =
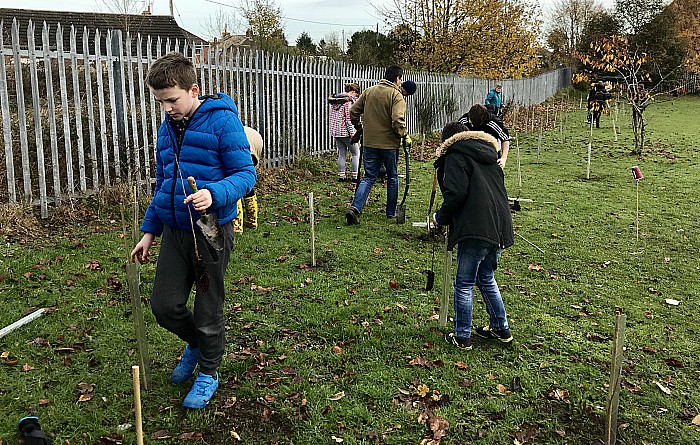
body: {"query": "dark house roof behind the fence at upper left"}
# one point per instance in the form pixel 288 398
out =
pixel 163 26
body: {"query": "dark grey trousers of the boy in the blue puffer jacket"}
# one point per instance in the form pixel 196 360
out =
pixel 202 328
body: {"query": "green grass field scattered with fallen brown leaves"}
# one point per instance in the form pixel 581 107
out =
pixel 284 319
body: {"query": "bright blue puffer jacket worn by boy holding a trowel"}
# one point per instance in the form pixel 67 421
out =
pixel 215 151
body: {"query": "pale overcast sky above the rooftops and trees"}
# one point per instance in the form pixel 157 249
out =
pixel 320 18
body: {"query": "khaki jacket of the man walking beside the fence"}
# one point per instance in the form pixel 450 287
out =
pixel 383 111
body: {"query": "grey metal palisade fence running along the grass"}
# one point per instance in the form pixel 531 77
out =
pixel 77 116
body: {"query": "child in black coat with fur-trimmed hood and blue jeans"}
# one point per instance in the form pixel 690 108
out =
pixel 476 210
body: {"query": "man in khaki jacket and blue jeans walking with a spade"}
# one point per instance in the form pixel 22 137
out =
pixel 383 110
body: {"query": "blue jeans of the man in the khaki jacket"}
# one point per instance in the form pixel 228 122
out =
pixel 372 160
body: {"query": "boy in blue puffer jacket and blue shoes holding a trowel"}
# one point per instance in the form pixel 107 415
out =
pixel 203 137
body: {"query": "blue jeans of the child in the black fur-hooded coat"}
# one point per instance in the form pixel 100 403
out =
pixel 477 260
